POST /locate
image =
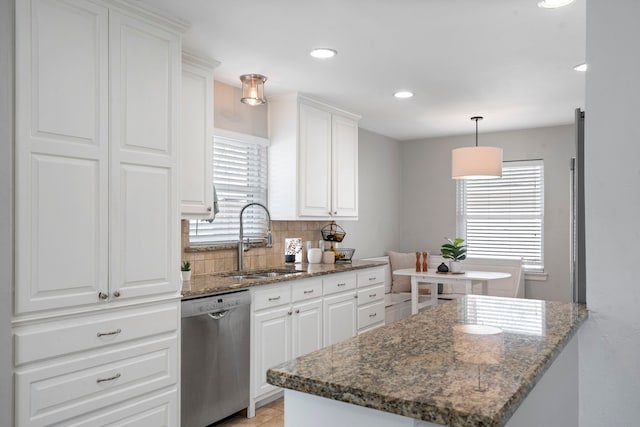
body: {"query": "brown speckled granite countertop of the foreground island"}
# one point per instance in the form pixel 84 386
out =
pixel 413 367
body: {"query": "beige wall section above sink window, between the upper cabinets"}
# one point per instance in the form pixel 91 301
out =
pixel 231 114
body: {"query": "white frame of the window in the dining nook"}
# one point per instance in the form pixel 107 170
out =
pixel 462 215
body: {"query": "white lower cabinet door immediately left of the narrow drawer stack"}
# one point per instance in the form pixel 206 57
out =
pixel 339 317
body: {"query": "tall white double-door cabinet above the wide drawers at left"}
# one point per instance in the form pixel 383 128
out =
pixel 97 87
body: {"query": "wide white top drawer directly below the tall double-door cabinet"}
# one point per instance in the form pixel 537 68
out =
pixel 60 337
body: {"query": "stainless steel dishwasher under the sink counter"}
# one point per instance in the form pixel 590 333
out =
pixel 215 357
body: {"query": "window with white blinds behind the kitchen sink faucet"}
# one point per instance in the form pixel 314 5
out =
pixel 239 177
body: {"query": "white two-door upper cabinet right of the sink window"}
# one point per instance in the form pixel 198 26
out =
pixel 313 160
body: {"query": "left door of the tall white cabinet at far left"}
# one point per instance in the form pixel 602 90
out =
pixel 61 154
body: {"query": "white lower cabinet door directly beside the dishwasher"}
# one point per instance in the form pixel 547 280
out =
pixel 272 344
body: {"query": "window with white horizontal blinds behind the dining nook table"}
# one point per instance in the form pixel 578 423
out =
pixel 504 218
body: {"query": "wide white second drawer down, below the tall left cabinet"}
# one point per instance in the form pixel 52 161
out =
pixel 94 380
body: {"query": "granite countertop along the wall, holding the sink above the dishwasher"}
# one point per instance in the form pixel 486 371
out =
pixel 206 284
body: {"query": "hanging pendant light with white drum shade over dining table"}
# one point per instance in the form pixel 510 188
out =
pixel 476 162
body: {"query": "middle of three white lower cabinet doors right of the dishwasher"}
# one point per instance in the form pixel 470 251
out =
pixel 307 327
